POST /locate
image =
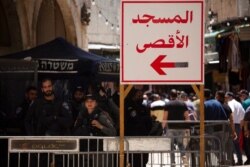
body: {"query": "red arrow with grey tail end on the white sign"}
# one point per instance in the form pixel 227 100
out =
pixel 157 64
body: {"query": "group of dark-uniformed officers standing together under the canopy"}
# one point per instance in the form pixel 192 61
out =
pixel 47 115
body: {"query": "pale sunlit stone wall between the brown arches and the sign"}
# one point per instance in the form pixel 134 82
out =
pixel 98 31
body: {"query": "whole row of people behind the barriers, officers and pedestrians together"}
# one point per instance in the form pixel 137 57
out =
pixel 96 113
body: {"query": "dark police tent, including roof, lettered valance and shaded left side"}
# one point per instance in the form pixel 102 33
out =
pixel 67 65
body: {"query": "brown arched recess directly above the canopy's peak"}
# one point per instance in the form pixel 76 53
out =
pixel 59 21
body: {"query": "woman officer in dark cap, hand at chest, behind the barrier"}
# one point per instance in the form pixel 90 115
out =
pixel 94 121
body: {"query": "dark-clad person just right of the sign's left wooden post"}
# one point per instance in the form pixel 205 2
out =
pixel 137 122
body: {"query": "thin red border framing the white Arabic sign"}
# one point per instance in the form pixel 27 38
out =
pixel 201 80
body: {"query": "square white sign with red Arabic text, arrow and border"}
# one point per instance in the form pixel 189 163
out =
pixel 162 42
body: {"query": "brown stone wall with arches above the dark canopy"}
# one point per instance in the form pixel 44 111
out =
pixel 35 22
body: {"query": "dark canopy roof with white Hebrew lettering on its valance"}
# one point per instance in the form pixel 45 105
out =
pixel 61 59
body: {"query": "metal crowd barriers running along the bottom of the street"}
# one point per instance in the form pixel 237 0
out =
pixel 150 151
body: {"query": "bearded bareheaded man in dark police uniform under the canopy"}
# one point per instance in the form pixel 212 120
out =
pixel 48 115
